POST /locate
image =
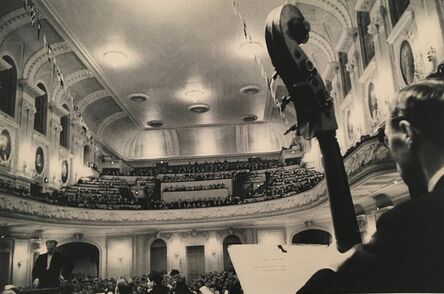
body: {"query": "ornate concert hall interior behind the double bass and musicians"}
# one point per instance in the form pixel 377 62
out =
pixel 150 135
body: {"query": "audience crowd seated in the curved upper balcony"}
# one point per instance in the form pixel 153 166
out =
pixel 114 192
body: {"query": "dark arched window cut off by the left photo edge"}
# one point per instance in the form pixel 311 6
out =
pixel 8 87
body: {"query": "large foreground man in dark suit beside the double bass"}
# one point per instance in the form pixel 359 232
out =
pixel 406 254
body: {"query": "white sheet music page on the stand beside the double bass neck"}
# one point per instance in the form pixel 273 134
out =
pixel 266 269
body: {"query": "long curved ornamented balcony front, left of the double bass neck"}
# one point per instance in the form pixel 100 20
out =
pixel 18 207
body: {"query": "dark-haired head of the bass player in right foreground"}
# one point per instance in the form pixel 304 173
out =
pixel 415 131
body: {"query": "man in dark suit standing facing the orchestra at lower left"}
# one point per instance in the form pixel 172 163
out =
pixel 50 267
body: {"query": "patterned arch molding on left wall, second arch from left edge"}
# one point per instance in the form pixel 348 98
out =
pixel 39 58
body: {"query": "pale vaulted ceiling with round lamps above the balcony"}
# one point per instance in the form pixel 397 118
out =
pixel 177 54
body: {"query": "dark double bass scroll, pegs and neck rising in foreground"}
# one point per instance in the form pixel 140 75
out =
pixel 285 30
